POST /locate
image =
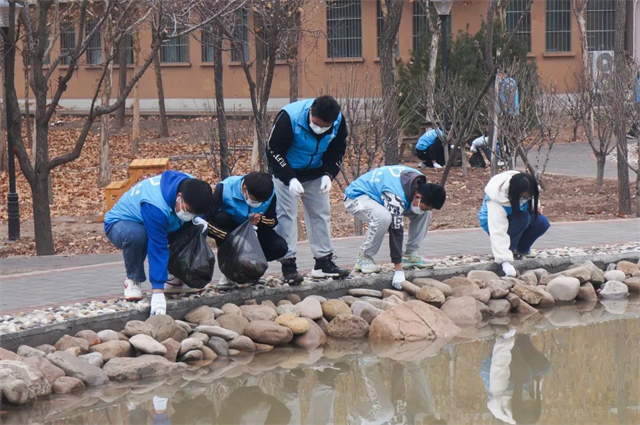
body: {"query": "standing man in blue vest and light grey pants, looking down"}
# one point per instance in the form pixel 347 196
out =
pixel 305 151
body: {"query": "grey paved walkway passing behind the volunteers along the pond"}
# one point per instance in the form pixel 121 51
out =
pixel 29 283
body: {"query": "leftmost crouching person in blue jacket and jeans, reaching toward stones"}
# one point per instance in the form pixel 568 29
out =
pixel 141 221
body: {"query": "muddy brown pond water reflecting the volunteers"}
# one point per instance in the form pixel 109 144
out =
pixel 568 366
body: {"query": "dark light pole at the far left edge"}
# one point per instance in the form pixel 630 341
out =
pixel 13 208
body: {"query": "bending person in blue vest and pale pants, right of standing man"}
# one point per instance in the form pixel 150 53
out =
pixel 382 198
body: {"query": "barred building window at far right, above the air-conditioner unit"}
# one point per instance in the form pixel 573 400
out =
pixel 601 24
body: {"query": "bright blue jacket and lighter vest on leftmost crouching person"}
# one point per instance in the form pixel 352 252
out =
pixel 152 202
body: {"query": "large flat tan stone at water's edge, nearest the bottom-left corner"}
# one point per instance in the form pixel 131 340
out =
pixel 146 366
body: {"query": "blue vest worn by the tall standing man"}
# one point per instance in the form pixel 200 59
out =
pixel 306 151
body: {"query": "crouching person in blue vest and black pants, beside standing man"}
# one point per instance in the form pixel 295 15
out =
pixel 237 199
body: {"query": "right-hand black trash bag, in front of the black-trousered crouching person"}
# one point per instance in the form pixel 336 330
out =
pixel 240 257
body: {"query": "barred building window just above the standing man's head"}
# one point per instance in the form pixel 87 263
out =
pixel 344 29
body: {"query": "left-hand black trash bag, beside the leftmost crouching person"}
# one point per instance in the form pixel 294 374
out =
pixel 190 258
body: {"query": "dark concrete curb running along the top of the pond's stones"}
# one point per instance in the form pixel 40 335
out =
pixel 330 289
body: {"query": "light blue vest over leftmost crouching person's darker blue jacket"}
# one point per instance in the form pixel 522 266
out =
pixel 128 207
